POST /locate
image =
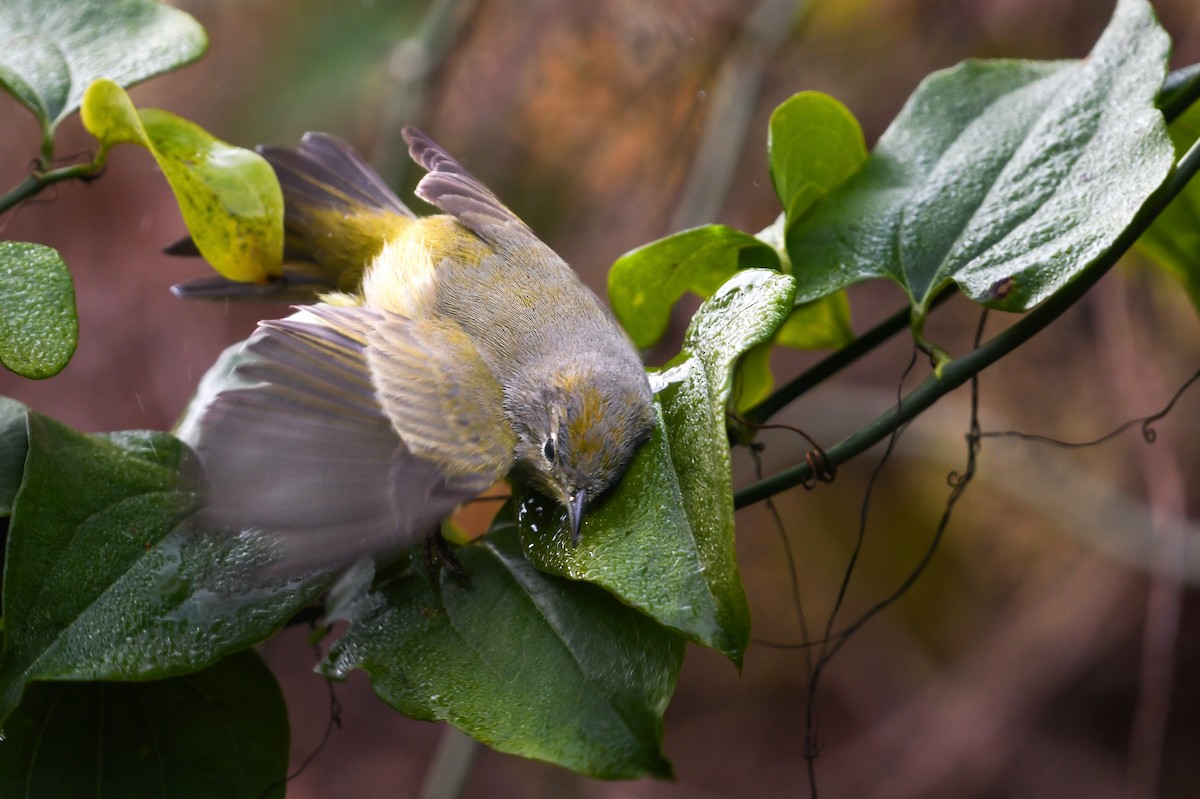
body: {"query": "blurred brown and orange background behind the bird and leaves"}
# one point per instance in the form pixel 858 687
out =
pixel 1049 650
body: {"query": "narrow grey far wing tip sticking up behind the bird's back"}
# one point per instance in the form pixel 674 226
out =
pixel 454 190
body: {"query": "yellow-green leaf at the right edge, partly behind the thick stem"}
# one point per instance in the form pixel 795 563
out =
pixel 1173 241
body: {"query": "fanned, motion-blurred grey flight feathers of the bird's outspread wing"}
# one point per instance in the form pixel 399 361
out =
pixel 301 450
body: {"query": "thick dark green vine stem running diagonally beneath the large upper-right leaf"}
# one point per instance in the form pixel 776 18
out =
pixel 959 371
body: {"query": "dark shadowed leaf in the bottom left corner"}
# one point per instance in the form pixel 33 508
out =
pixel 221 732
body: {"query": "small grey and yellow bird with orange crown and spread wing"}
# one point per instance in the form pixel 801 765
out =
pixel 459 351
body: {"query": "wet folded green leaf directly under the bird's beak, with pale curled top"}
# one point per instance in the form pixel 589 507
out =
pixel 663 542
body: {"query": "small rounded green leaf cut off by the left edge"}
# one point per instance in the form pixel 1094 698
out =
pixel 39 328
